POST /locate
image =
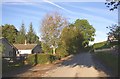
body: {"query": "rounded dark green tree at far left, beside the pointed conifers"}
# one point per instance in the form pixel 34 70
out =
pixel 9 32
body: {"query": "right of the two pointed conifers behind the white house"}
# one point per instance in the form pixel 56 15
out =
pixel 31 36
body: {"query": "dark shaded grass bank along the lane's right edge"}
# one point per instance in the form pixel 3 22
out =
pixel 109 60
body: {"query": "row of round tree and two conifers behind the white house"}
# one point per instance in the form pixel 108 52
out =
pixel 19 36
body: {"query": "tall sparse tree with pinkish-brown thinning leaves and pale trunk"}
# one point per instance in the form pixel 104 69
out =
pixel 52 25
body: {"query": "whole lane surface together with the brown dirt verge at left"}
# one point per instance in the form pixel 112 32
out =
pixel 80 65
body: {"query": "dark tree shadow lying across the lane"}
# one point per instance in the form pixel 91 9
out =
pixel 86 60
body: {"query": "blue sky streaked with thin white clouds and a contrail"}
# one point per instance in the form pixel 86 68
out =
pixel 96 13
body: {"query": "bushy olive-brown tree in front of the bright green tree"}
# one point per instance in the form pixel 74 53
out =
pixel 71 40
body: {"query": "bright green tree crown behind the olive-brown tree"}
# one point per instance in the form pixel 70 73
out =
pixel 87 30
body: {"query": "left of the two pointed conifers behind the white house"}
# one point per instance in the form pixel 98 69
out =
pixel 21 35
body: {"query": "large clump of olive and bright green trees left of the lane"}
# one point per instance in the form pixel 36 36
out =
pixel 76 37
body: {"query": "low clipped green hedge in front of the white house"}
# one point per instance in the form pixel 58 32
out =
pixel 41 58
